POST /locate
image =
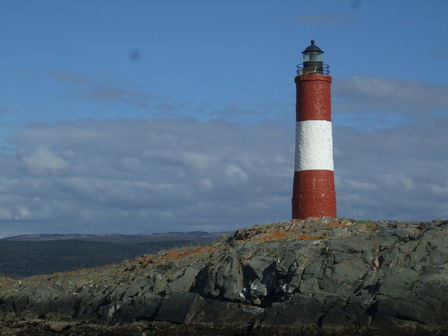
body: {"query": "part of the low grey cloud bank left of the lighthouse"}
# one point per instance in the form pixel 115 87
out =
pixel 161 176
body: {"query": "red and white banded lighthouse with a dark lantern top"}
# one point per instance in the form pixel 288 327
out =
pixel 313 188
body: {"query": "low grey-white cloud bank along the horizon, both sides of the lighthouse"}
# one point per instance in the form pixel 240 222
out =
pixel 182 175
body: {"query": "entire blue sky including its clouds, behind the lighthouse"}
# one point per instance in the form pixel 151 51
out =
pixel 106 70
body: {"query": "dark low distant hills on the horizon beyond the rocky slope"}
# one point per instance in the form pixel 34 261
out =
pixel 28 255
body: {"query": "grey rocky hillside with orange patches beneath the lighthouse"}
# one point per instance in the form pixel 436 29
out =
pixel 313 277
